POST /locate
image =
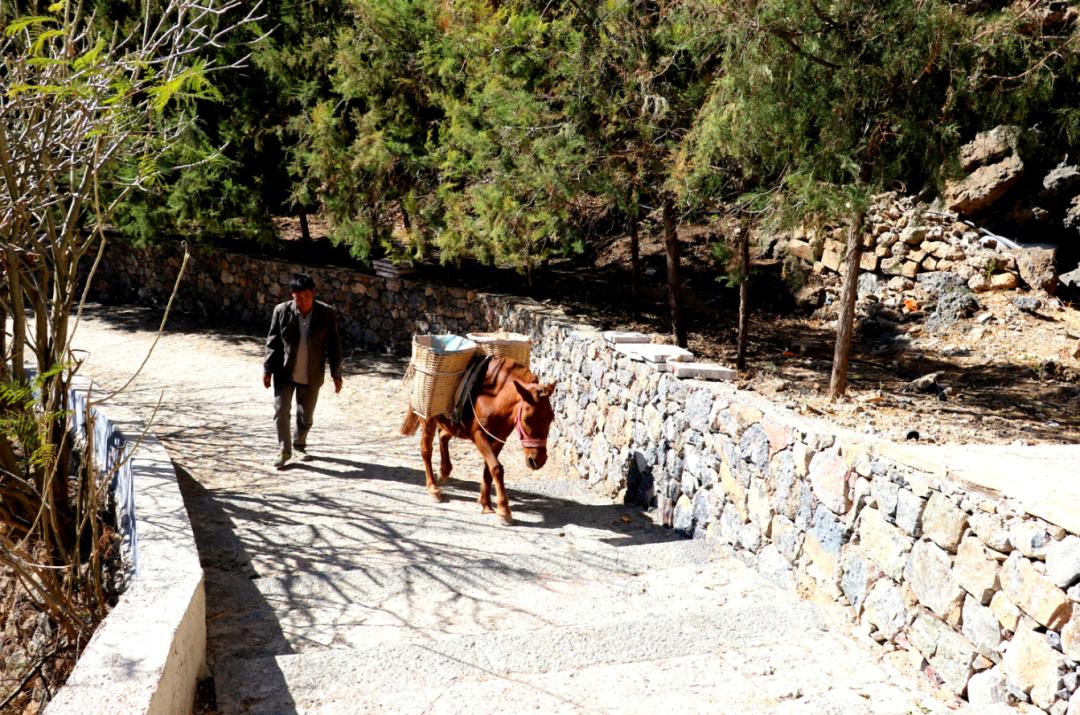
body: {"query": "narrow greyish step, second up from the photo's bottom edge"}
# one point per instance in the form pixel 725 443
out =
pixel 263 685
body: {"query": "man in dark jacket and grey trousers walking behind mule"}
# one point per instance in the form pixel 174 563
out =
pixel 303 341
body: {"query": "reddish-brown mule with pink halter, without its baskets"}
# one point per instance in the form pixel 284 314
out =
pixel 507 399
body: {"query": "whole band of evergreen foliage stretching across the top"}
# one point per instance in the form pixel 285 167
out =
pixel 475 129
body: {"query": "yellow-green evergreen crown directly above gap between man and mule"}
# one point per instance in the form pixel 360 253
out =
pixel 363 152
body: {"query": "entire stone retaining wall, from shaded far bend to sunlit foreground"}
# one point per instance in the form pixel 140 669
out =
pixel 979 586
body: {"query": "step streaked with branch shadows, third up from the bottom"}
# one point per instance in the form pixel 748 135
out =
pixel 292 614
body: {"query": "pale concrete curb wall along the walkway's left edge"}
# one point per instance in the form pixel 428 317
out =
pixel 152 649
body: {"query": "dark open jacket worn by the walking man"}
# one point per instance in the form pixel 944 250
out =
pixel 325 344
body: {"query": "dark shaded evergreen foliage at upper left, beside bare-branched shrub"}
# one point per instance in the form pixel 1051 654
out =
pixel 242 159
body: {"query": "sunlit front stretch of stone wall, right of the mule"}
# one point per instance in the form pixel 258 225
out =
pixel 980 592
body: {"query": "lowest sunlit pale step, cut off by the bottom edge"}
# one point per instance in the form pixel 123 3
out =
pixel 704 684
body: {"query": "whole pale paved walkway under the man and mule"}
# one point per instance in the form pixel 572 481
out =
pixel 337 587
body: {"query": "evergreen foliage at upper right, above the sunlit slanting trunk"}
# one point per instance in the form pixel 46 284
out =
pixel 822 104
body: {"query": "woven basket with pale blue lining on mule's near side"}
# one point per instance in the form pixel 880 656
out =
pixel 435 371
